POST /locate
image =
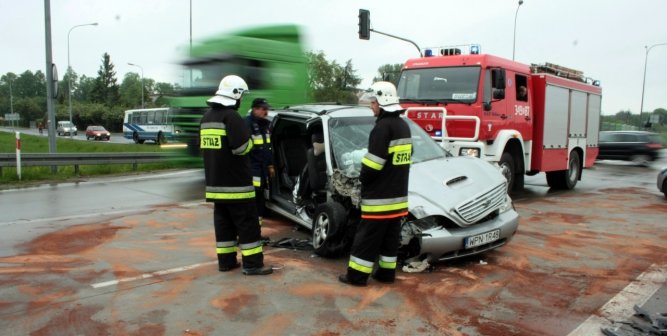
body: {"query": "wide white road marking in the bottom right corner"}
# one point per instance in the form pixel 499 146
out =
pixel 620 307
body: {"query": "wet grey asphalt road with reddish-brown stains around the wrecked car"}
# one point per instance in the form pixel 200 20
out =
pixel 135 256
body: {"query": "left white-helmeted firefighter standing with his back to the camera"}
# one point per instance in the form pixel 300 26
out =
pixel 225 143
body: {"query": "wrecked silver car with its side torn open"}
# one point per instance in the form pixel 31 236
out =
pixel 458 206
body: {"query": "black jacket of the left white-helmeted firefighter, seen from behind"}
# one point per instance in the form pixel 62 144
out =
pixel 225 143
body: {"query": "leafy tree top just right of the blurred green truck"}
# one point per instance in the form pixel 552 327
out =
pixel 331 82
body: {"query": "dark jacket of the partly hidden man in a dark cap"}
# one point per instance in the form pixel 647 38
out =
pixel 261 153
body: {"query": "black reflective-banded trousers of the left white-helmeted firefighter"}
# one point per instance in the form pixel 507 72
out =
pixel 236 228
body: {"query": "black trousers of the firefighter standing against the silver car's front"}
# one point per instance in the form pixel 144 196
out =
pixel 375 239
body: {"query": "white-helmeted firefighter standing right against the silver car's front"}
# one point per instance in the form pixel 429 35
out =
pixel 384 191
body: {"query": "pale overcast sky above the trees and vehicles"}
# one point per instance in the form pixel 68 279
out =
pixel 606 39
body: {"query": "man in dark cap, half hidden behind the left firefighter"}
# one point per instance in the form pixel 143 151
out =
pixel 261 154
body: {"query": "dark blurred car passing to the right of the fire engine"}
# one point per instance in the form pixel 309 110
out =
pixel 637 146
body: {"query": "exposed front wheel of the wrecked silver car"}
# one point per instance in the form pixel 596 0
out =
pixel 328 230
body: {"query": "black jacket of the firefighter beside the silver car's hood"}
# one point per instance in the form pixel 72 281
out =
pixel 385 169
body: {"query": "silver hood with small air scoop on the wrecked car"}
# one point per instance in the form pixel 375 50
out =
pixel 441 186
